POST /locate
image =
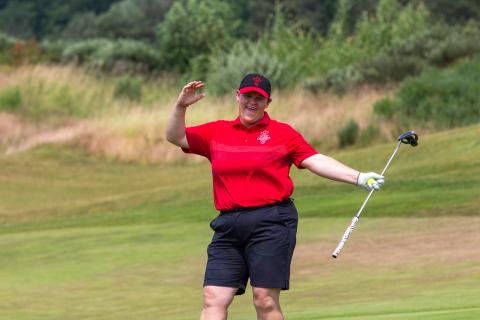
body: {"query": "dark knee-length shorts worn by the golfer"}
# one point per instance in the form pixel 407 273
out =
pixel 255 243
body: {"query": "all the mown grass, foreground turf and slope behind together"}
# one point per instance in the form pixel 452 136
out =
pixel 86 238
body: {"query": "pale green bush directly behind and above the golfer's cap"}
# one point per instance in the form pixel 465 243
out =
pixel 282 55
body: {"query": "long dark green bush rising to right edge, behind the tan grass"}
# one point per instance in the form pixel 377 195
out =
pixel 438 46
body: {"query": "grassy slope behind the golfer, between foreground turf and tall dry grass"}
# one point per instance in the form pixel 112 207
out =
pixel 64 187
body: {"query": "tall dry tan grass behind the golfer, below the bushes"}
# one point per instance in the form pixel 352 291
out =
pixel 56 97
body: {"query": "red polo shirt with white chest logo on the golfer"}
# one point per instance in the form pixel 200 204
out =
pixel 250 166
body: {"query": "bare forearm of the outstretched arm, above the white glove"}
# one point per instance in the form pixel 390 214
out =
pixel 330 168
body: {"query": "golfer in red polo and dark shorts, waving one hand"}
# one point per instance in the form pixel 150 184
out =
pixel 256 229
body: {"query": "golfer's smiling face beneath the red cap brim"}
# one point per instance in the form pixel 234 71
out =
pixel 251 107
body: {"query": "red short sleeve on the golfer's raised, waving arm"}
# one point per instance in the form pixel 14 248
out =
pixel 199 138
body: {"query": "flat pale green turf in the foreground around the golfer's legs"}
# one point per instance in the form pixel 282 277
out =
pixel 421 269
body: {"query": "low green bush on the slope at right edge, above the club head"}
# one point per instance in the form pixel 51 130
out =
pixel 446 98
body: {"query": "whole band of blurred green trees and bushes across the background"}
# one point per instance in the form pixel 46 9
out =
pixel 427 50
